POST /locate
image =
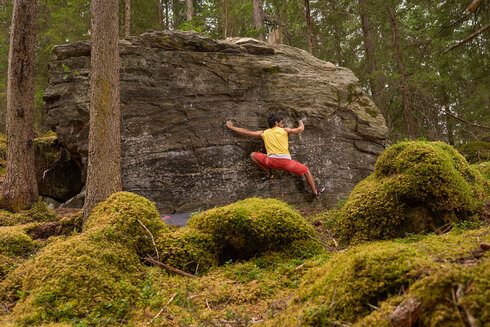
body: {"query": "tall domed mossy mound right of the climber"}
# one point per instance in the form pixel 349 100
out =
pixel 416 186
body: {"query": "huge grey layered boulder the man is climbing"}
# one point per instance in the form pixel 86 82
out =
pixel 177 91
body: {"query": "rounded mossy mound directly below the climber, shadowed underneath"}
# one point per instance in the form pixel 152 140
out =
pixel 249 227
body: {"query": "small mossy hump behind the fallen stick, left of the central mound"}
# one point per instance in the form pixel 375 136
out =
pixel 187 249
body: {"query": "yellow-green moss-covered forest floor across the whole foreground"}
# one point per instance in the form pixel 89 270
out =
pixel 254 262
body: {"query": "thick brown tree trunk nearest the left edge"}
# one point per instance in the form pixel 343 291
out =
pixel 19 189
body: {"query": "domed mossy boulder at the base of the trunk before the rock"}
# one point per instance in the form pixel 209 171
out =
pixel 124 216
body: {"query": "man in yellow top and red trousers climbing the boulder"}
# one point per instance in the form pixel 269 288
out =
pixel 277 147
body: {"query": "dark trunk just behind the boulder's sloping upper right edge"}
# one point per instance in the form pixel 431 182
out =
pixel 376 77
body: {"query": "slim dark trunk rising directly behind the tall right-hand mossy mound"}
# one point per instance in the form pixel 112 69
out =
pixel 407 106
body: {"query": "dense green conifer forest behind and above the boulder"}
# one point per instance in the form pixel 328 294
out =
pixel 397 48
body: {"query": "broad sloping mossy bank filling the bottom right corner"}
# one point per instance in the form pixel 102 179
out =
pixel 353 285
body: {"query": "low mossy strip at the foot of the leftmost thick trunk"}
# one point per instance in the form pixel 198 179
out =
pixel 39 212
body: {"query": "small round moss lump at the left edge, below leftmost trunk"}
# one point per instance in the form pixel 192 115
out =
pixel 15 242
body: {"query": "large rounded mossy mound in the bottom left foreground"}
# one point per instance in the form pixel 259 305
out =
pixel 85 276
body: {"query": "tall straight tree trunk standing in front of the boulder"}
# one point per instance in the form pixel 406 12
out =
pixel 104 153
